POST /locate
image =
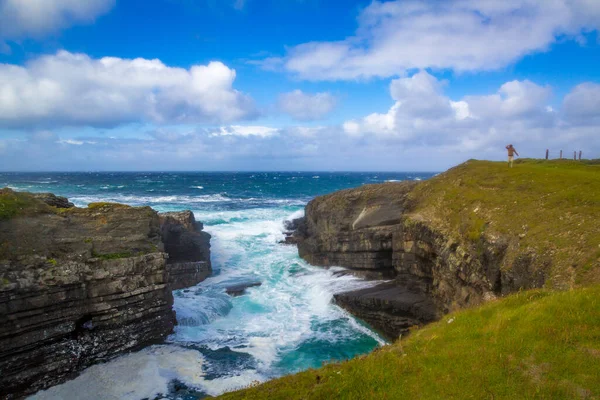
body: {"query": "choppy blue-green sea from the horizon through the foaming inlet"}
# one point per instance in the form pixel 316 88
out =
pixel 223 343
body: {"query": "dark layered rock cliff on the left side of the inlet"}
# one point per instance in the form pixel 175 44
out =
pixel 80 285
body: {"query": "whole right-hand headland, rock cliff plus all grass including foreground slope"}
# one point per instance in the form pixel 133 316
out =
pixel 471 235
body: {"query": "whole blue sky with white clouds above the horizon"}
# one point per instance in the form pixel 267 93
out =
pixel 294 85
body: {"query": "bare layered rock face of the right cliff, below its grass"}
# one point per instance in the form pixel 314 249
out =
pixel 376 228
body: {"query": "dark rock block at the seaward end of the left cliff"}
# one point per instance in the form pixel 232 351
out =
pixel 188 247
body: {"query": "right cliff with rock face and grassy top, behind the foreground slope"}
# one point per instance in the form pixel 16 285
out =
pixel 473 233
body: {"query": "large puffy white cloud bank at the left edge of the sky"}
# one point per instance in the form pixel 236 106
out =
pixel 75 89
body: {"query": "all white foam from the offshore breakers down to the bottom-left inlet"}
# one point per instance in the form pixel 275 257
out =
pixel 268 324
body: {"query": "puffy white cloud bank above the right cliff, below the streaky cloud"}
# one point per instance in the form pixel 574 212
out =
pixel 423 114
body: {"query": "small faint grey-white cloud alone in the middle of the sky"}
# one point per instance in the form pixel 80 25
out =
pixel 307 107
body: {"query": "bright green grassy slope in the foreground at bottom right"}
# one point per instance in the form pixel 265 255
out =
pixel 533 345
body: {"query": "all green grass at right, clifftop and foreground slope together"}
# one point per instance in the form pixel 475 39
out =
pixel 540 344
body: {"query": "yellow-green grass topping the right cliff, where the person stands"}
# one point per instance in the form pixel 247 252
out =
pixel 551 207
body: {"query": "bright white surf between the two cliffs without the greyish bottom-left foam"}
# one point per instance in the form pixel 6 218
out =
pixel 272 320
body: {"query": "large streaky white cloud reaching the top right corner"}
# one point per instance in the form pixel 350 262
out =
pixel 464 35
